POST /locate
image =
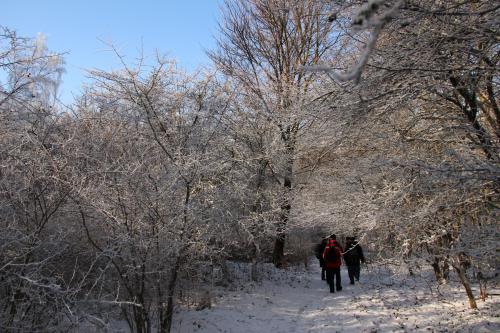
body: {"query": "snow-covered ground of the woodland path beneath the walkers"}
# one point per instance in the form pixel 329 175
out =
pixel 295 300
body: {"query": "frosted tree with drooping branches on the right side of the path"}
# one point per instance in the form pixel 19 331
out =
pixel 428 71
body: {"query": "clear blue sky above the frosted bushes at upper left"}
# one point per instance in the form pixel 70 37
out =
pixel 181 29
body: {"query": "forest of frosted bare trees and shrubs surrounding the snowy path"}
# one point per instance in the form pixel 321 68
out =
pixel 378 118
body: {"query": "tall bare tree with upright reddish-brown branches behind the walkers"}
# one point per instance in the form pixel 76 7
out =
pixel 264 45
